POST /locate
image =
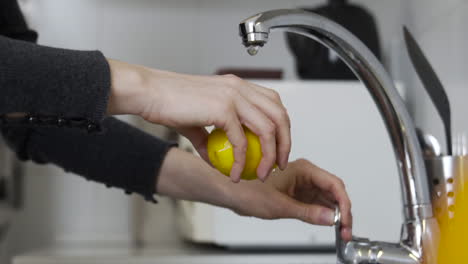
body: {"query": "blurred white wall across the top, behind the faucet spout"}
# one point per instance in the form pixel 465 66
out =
pixel 193 36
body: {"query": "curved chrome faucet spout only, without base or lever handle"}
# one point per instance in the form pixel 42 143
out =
pixel 255 33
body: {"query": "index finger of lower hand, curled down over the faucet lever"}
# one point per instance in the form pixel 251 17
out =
pixel 329 182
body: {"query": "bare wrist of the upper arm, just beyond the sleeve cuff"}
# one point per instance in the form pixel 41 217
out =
pixel 127 88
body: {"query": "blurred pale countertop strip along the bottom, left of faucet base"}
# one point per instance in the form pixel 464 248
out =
pixel 168 254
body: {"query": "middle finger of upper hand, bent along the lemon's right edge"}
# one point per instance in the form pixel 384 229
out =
pixel 264 128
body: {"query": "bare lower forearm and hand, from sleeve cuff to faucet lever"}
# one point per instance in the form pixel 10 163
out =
pixel 303 191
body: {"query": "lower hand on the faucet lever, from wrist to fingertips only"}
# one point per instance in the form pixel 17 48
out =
pixel 303 191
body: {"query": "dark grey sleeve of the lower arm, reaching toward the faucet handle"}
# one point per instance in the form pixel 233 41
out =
pixel 122 156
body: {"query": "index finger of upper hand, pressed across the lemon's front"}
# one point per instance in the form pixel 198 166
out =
pixel 236 136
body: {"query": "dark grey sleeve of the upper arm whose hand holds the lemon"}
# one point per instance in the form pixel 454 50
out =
pixel 50 83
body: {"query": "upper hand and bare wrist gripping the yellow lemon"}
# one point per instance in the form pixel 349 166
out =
pixel 189 103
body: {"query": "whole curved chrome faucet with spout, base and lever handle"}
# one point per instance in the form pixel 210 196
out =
pixel 418 243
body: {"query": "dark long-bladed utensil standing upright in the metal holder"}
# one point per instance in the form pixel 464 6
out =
pixel 432 84
